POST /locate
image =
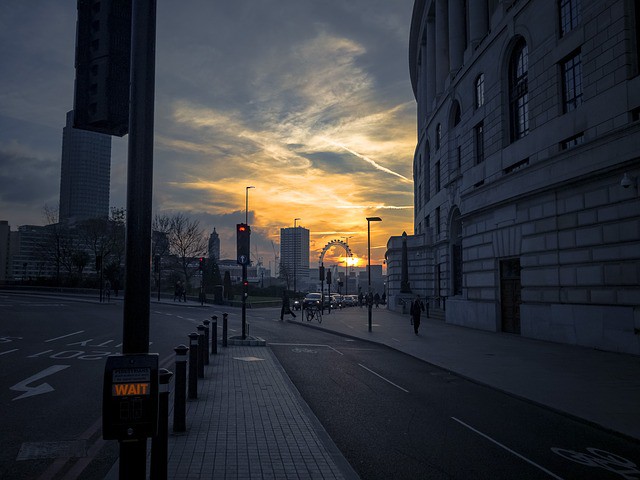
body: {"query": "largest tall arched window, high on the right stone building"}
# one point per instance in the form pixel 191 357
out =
pixel 519 91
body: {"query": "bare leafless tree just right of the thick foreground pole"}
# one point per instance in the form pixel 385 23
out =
pixel 187 242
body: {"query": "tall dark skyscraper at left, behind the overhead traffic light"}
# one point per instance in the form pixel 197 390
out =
pixel 85 175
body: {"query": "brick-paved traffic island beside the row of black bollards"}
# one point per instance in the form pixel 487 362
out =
pixel 249 422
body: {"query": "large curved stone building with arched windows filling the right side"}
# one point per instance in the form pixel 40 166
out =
pixel 527 209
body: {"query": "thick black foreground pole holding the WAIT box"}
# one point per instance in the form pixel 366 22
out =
pixel 133 455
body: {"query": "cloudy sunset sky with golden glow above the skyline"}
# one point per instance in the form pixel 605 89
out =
pixel 308 101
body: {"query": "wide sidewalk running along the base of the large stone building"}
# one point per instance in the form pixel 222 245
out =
pixel 600 387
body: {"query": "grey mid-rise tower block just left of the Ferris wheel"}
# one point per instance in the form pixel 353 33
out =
pixel 294 256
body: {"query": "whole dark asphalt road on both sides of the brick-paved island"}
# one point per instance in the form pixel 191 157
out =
pixel 391 415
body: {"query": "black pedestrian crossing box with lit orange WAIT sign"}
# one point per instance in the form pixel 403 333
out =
pixel 130 397
